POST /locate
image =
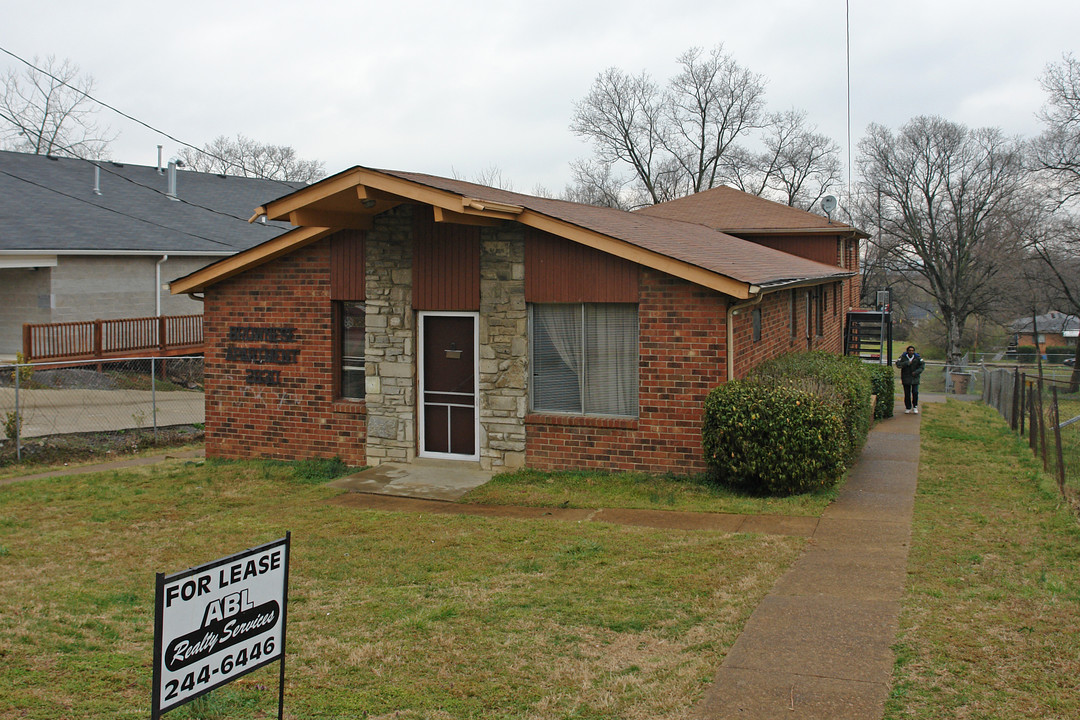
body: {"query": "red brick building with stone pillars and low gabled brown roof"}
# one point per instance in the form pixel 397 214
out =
pixel 410 316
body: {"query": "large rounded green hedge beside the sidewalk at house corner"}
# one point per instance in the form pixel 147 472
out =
pixel 792 425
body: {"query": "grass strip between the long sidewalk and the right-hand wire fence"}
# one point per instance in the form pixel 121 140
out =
pixel 991 622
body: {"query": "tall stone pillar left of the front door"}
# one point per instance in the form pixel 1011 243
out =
pixel 390 339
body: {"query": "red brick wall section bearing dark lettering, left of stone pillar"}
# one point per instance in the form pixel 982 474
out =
pixel 298 419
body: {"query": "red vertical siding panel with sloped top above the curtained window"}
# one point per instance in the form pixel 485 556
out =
pixel 558 270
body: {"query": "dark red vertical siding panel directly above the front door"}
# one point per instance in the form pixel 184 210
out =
pixel 445 265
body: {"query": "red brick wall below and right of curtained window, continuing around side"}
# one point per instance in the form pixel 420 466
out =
pixel 683 358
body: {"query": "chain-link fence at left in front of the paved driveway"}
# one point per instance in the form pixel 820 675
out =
pixel 40 400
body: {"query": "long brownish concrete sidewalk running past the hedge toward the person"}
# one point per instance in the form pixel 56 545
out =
pixel 820 645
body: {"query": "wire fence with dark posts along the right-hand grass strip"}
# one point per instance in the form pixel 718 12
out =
pixel 1042 411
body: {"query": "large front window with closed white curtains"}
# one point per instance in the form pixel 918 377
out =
pixel 585 359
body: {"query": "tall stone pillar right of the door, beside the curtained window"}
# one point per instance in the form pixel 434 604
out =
pixel 504 349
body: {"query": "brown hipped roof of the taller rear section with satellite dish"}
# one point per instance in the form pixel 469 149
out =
pixel 734 211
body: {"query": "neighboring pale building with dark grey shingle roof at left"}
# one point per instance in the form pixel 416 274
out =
pixel 84 241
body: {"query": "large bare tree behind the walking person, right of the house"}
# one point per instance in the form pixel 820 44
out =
pixel 946 193
